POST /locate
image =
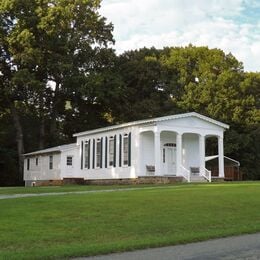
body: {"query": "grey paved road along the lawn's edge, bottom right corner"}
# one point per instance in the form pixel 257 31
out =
pixel 239 247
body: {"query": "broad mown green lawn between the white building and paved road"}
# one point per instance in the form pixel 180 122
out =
pixel 97 223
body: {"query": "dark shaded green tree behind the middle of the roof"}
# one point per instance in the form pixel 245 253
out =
pixel 143 86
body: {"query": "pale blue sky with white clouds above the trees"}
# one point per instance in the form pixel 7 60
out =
pixel 231 25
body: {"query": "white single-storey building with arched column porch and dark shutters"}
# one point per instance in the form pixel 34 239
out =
pixel 164 146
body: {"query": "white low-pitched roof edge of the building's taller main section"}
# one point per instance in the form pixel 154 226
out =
pixel 153 120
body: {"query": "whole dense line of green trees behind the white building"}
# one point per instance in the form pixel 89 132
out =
pixel 59 75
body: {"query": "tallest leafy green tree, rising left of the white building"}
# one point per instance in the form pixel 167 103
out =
pixel 48 48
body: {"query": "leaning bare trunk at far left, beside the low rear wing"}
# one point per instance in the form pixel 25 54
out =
pixel 19 140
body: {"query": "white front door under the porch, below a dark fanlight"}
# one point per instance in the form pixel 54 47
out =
pixel 169 160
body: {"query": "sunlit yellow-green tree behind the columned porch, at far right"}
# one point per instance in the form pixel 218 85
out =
pixel 214 83
